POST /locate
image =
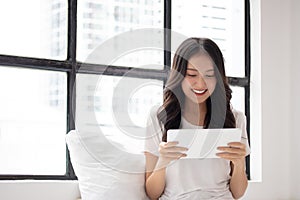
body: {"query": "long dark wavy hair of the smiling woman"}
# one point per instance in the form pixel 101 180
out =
pixel 219 113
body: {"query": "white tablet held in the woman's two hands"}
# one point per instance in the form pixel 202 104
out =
pixel 203 143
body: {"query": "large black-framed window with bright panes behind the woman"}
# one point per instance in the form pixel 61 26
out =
pixel 49 68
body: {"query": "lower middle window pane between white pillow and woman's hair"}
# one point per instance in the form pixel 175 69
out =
pixel 121 106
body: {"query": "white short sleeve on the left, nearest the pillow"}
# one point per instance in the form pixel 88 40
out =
pixel 153 132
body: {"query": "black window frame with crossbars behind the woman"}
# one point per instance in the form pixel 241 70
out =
pixel 71 67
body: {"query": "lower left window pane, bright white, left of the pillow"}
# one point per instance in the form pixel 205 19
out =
pixel 32 121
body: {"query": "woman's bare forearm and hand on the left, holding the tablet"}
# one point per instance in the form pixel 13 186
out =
pixel 156 167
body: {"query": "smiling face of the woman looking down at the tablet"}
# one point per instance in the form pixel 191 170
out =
pixel 199 81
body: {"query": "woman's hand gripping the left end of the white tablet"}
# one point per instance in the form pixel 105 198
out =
pixel 169 151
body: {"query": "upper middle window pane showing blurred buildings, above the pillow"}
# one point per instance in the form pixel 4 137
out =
pixel 101 21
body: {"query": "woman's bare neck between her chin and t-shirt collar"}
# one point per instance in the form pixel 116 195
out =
pixel 194 113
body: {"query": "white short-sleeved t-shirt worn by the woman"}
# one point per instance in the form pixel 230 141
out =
pixel 194 178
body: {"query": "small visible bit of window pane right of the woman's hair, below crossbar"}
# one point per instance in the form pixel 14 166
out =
pixel 238 98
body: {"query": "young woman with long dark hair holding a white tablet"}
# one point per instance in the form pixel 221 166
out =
pixel 197 95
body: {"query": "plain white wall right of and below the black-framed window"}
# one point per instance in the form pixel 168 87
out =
pixel 280 72
